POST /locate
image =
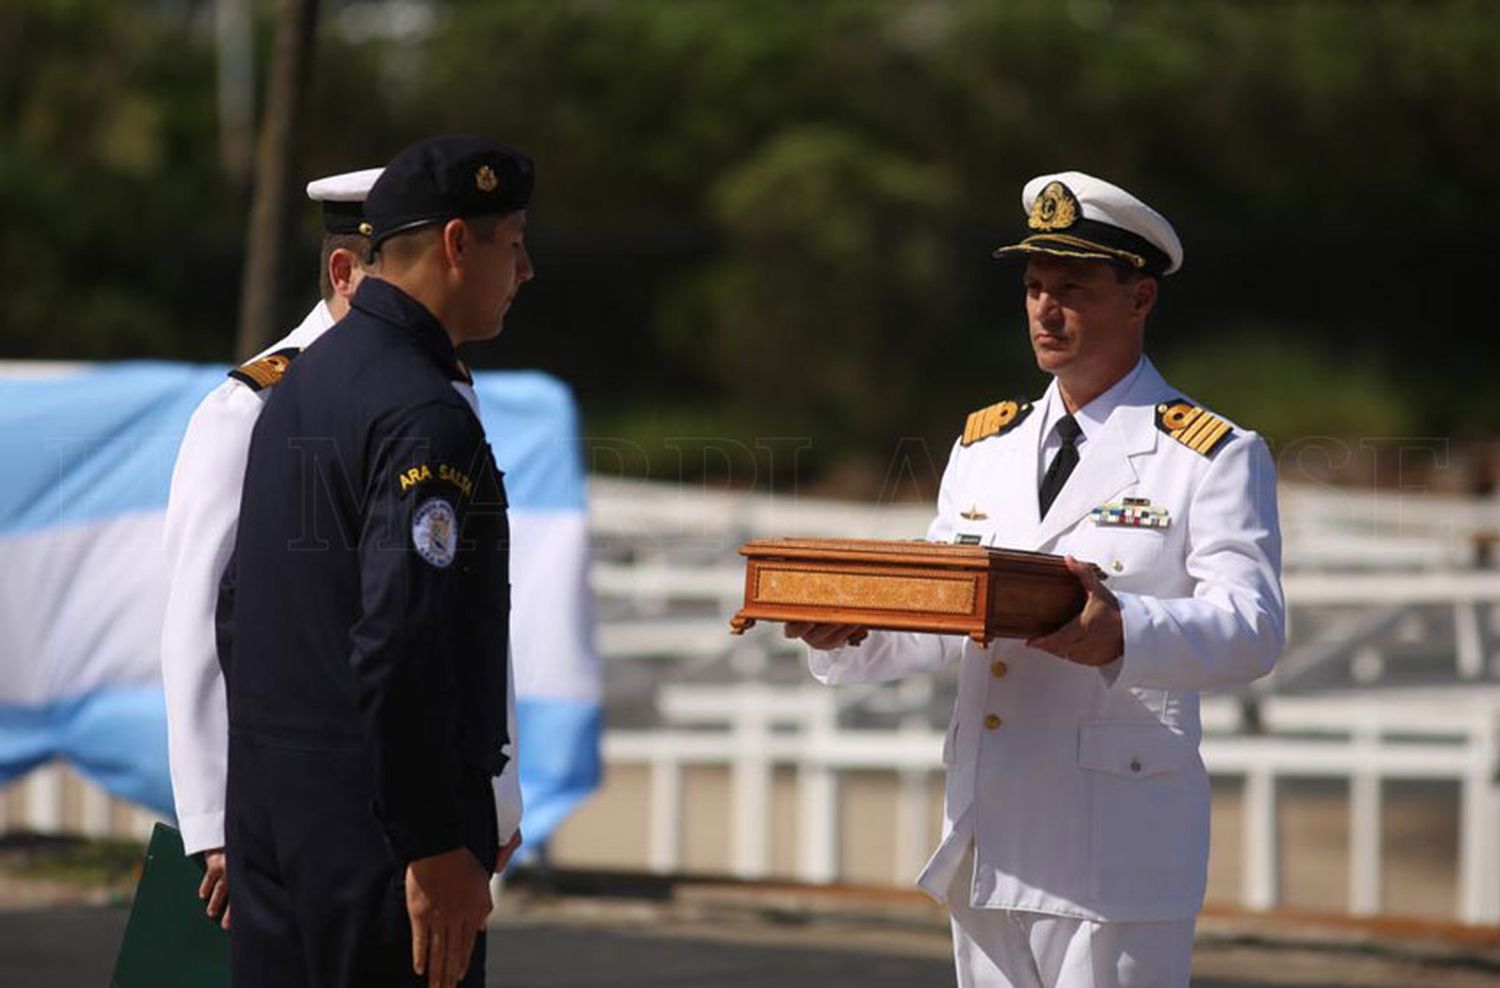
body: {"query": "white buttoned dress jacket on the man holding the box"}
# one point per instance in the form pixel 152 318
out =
pixel 1082 789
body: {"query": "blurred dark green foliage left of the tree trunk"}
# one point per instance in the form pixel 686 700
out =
pixel 118 239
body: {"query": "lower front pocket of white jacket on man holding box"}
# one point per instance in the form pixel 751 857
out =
pixel 1148 815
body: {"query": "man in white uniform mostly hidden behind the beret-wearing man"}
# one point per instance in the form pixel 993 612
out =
pixel 203 515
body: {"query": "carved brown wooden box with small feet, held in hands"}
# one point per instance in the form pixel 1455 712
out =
pixel 908 585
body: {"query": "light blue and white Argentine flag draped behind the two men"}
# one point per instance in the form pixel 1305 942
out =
pixel 89 458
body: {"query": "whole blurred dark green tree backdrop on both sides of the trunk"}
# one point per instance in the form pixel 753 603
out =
pixel 775 218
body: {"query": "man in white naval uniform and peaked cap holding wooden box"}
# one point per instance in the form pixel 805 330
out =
pixel 1076 831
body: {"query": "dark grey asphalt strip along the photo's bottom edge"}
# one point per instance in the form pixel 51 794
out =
pixel 640 945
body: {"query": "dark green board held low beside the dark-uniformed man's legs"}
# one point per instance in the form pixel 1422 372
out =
pixel 170 942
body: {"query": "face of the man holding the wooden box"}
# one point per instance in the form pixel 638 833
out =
pixel 1081 317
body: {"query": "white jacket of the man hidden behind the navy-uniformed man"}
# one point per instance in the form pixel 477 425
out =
pixel 203 513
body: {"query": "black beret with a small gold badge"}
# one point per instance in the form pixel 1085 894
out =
pixel 443 179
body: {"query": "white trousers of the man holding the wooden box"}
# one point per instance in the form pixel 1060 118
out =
pixel 1001 948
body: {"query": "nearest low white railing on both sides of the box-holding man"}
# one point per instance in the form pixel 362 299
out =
pixel 1363 740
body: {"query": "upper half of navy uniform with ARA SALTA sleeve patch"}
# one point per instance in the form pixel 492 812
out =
pixel 371 591
